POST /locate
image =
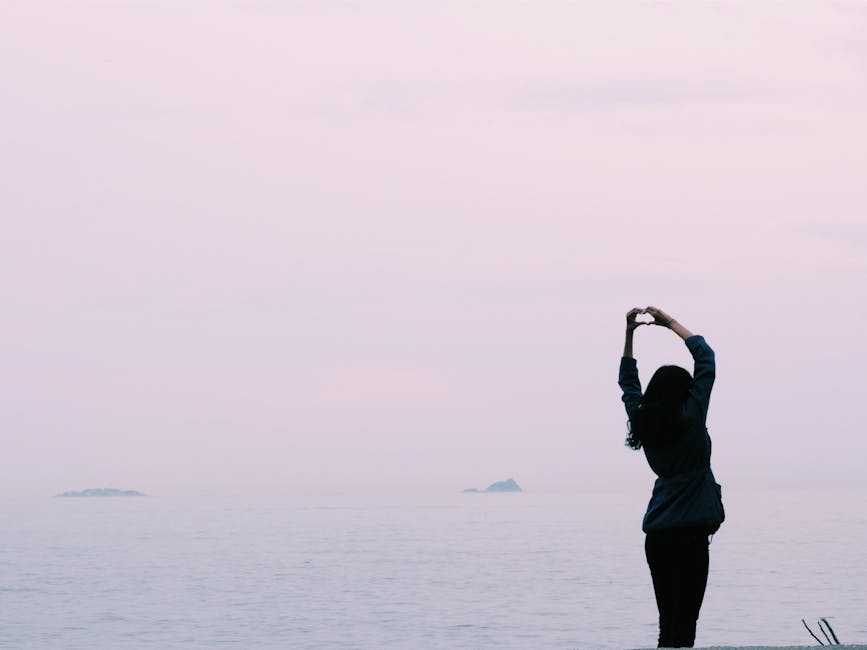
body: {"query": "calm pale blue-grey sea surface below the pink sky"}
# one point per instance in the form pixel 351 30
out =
pixel 449 571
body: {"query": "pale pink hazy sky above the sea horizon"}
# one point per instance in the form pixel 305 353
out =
pixel 369 246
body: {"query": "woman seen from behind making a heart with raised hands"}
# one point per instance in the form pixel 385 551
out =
pixel 668 422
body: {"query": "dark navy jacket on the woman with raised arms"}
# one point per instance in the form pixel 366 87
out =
pixel 686 492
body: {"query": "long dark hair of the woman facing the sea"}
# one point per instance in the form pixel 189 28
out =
pixel 656 420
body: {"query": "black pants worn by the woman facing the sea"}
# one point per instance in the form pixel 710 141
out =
pixel 678 561
